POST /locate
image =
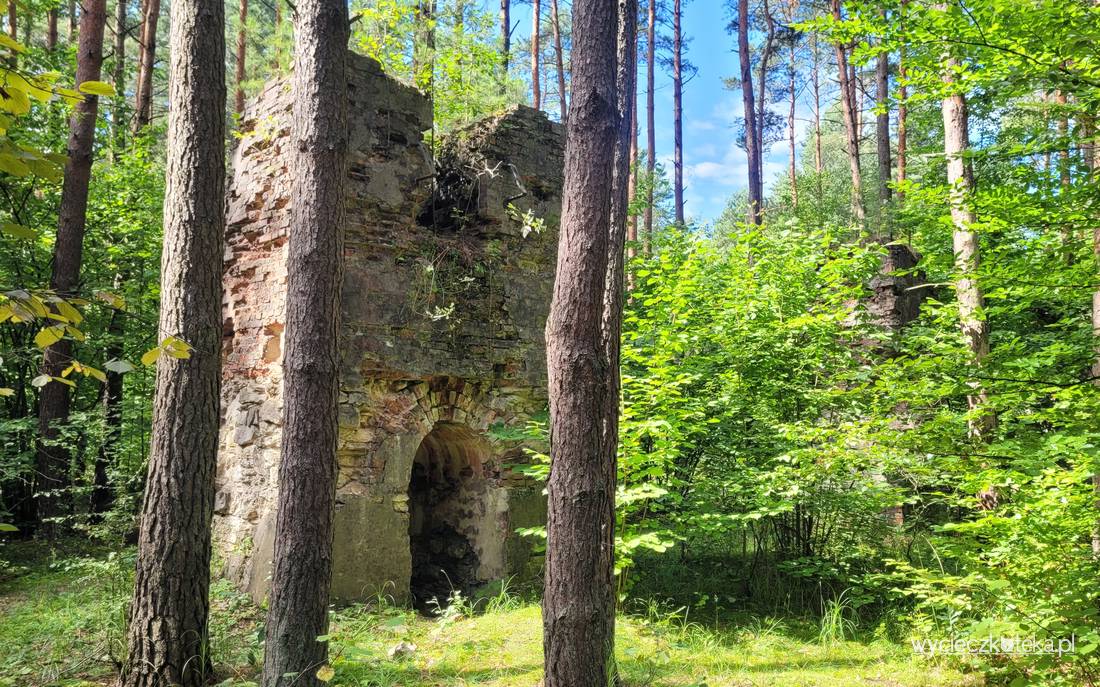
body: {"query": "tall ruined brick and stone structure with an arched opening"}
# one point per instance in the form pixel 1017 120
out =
pixel 449 269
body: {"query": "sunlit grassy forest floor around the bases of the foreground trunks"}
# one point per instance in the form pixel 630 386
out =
pixel 62 624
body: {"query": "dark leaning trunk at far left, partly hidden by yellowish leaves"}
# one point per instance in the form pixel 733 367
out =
pixel 53 460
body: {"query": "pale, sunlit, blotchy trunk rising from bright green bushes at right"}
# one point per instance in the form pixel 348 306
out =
pixel 966 246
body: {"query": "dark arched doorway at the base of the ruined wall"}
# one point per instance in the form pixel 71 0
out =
pixel 446 494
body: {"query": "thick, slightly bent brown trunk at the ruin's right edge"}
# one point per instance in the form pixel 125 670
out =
pixel 579 602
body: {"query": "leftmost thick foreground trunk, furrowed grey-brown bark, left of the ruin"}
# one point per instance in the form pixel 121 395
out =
pixel 169 612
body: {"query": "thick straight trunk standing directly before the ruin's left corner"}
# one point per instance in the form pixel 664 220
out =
pixel 303 566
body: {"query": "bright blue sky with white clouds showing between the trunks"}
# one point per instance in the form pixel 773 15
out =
pixel 714 167
